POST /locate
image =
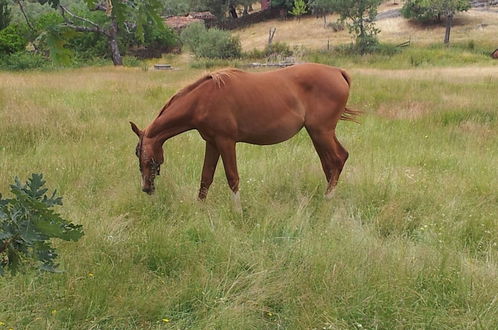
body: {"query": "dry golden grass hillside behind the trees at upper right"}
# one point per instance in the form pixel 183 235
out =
pixel 476 24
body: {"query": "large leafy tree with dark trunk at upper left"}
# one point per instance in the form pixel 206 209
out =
pixel 119 23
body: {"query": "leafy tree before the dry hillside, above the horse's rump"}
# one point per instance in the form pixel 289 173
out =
pixel 359 16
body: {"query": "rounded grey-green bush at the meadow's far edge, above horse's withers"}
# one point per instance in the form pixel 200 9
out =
pixel 212 43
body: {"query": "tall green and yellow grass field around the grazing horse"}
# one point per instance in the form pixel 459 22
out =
pixel 409 240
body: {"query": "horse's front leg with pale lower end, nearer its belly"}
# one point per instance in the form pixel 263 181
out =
pixel 226 147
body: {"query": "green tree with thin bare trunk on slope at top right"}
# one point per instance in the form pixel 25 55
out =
pixel 433 10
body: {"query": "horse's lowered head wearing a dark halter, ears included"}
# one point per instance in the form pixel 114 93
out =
pixel 150 158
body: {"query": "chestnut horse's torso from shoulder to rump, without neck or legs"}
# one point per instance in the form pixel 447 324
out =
pixel 271 107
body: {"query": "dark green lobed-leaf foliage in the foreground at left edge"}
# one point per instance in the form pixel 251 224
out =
pixel 28 222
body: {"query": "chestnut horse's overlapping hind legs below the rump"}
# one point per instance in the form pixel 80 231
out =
pixel 332 155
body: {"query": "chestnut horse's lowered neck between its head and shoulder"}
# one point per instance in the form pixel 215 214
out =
pixel 171 122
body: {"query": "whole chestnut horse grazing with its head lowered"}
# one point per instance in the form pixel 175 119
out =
pixel 231 106
